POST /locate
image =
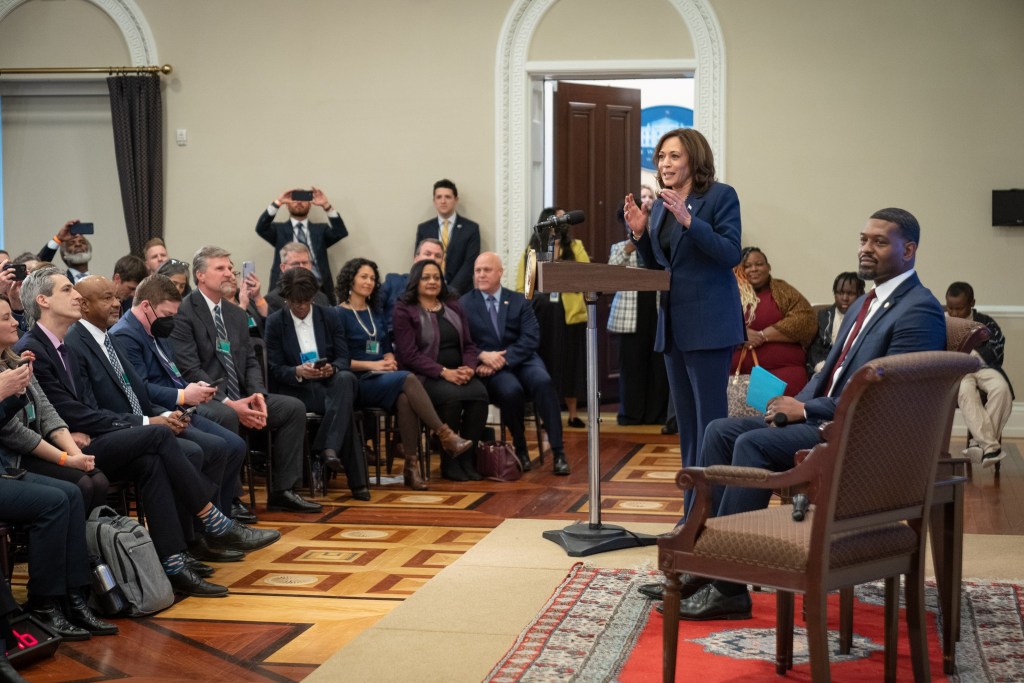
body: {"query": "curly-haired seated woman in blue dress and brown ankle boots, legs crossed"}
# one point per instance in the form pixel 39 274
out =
pixel 381 383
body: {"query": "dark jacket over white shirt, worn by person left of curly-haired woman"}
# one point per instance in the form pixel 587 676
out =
pixel 283 353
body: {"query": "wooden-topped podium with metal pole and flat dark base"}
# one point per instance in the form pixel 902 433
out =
pixel 593 280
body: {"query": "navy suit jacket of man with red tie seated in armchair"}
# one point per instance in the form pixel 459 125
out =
pixel 910 321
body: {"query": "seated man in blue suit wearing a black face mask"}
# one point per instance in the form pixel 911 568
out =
pixel 142 338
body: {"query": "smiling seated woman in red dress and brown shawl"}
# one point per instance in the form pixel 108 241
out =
pixel 780 322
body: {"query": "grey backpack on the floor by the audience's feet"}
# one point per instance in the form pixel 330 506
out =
pixel 126 547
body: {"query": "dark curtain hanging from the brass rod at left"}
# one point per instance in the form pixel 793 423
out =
pixel 137 111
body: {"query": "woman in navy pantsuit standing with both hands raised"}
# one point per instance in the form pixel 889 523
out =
pixel 694 234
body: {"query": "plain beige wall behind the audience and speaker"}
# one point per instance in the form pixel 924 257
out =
pixel 833 110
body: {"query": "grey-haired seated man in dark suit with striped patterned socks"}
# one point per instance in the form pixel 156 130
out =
pixel 149 455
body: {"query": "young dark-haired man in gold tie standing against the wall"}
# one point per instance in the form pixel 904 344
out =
pixel 459 237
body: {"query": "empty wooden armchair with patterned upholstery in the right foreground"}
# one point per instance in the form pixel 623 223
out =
pixel 871 488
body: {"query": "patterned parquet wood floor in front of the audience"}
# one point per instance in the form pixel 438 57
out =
pixel 296 603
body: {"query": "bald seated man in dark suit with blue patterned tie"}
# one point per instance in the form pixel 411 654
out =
pixel 219 454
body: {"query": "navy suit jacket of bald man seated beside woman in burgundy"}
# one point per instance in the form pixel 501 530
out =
pixel 521 332
